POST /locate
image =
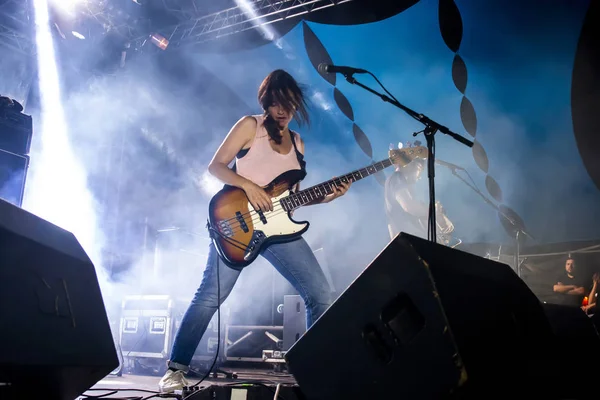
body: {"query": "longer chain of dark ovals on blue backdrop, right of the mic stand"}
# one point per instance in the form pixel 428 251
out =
pixel 451 29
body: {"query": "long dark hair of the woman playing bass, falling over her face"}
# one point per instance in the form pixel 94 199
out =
pixel 281 88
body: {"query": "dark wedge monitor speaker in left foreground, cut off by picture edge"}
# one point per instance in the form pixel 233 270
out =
pixel 55 340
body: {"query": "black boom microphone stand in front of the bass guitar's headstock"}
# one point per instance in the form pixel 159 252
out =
pixel 431 128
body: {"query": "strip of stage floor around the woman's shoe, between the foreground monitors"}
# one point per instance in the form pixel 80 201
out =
pixel 144 386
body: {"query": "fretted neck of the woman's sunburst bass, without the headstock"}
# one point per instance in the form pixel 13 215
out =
pixel 321 190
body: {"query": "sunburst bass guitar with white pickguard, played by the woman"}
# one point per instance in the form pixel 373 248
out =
pixel 240 233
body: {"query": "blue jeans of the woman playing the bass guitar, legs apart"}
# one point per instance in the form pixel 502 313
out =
pixel 294 260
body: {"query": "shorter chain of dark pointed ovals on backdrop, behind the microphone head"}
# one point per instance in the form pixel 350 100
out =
pixel 317 53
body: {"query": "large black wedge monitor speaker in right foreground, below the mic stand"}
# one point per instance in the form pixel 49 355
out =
pixel 426 321
